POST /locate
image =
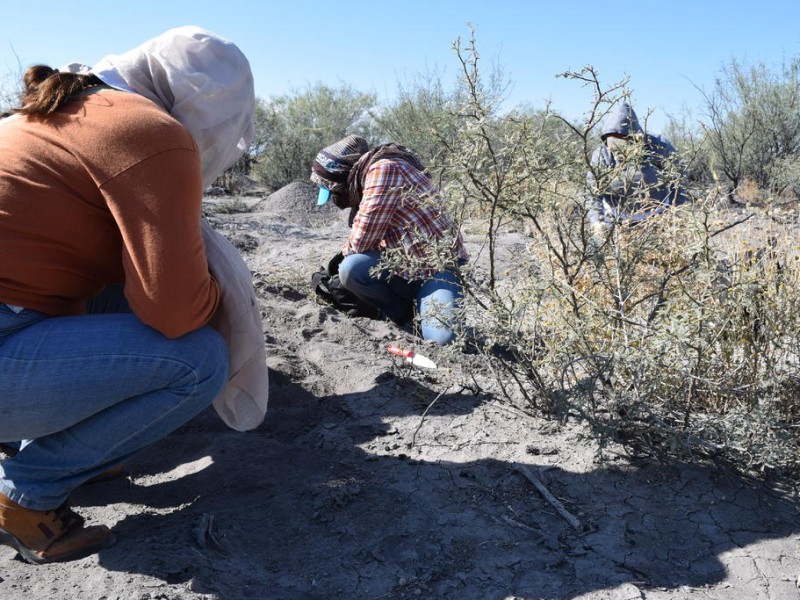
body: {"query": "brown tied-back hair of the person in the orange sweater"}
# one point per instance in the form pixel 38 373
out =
pixel 47 89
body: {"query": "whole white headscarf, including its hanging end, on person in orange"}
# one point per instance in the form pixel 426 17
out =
pixel 204 81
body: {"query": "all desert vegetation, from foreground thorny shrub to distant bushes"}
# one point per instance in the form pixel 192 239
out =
pixel 678 336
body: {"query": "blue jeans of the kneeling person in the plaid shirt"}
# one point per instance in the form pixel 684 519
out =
pixel 437 299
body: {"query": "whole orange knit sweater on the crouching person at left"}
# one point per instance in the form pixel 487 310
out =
pixel 106 190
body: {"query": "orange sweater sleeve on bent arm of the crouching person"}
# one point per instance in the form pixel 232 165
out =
pixel 156 204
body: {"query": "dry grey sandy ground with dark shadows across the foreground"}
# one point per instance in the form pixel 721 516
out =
pixel 374 479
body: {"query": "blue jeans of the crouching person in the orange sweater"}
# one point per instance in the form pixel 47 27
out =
pixel 86 392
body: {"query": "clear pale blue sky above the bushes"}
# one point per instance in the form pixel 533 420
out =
pixel 667 49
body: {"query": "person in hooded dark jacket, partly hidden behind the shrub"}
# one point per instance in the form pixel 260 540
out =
pixel 632 174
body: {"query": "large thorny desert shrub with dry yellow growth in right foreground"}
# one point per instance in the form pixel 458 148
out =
pixel 677 335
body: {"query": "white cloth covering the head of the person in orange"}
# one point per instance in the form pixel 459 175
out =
pixel 202 80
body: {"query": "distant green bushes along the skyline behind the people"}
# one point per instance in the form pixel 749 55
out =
pixel 747 136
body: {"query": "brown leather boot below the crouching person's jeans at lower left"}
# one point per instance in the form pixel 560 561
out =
pixel 44 536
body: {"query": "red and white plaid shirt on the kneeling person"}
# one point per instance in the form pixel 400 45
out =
pixel 400 211
